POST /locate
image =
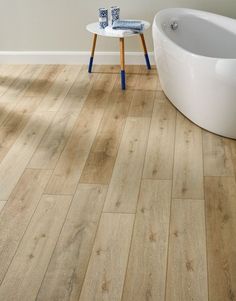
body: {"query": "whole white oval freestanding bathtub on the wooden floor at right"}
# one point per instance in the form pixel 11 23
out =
pixel 195 53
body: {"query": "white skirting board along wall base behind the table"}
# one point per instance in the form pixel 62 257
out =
pixel 71 57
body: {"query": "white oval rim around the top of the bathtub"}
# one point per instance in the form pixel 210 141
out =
pixel 194 12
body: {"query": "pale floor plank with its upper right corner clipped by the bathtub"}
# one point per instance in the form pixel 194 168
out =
pixel 160 149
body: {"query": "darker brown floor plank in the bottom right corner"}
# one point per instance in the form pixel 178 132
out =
pixel 220 193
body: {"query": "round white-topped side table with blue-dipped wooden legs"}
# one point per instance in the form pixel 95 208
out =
pixel 97 31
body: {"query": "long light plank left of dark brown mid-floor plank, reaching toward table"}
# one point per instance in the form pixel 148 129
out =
pixel 73 158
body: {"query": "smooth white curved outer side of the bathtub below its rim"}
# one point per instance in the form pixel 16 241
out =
pixel 202 88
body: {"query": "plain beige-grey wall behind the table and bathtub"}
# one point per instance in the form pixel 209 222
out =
pixel 59 25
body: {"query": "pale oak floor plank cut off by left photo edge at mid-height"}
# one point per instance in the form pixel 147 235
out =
pixel 16 160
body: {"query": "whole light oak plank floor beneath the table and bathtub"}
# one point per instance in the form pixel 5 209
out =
pixel 110 195
